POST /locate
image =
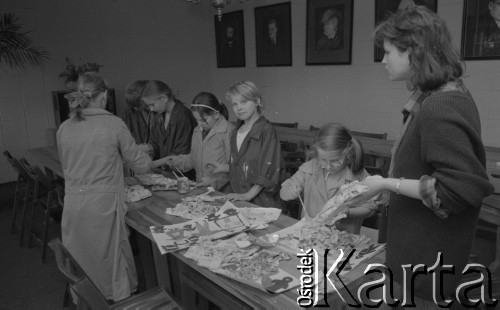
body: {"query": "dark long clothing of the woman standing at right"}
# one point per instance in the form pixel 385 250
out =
pixel 443 140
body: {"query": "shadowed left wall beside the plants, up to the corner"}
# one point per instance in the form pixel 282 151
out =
pixel 133 39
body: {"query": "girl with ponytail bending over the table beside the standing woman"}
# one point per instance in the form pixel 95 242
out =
pixel 338 159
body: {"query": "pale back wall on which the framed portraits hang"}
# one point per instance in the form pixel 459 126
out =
pixel 360 94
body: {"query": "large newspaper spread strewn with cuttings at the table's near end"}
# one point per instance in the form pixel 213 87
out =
pixel 272 266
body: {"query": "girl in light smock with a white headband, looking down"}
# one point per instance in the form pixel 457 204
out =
pixel 210 141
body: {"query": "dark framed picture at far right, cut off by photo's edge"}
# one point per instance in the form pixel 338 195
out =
pixel 480 34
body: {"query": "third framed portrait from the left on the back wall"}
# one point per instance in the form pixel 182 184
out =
pixel 329 32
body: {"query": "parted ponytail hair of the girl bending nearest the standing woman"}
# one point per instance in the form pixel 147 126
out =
pixel 336 137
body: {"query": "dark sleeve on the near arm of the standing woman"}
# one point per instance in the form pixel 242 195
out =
pixel 452 146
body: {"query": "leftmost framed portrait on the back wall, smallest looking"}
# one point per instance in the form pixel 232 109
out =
pixel 230 40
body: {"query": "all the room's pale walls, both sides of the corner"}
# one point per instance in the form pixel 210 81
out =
pixel 174 41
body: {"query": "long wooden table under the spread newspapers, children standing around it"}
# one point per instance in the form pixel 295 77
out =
pixel 185 279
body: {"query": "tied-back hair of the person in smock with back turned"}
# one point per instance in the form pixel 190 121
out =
pixel 89 86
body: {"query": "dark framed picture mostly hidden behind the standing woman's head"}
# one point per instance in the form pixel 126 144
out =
pixel 383 8
